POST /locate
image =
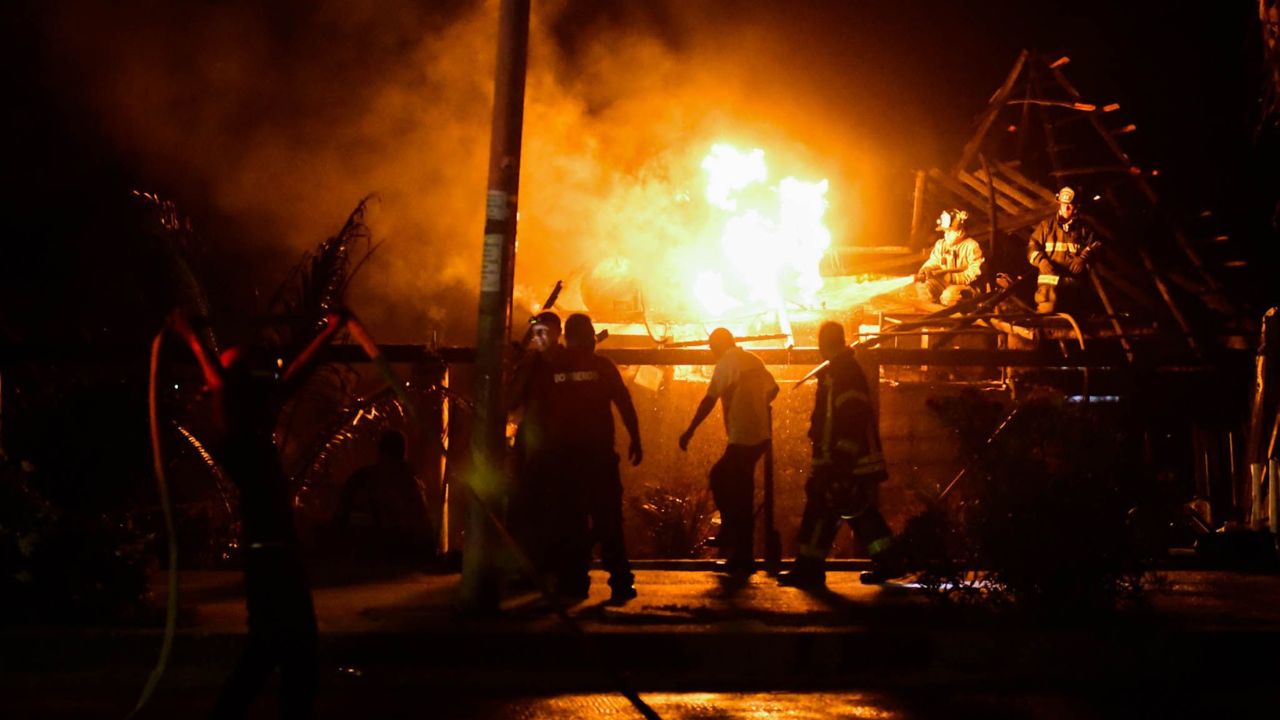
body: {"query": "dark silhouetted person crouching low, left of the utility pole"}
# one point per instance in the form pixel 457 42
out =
pixel 382 505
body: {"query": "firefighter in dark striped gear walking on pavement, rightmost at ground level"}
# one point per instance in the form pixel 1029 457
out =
pixel 848 470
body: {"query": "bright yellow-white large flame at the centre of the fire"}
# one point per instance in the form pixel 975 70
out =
pixel 771 238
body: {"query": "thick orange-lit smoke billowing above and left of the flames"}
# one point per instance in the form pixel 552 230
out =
pixel 278 119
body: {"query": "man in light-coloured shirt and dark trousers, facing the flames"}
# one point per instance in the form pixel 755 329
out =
pixel 744 389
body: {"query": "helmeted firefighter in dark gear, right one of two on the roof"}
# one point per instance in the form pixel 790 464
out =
pixel 1063 248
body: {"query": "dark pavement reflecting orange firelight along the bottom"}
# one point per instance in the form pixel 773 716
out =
pixel 693 646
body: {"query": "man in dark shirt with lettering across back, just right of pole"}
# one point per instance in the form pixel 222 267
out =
pixel 579 467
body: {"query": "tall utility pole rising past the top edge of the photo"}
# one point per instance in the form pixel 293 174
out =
pixel 497 276
